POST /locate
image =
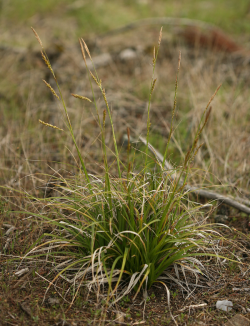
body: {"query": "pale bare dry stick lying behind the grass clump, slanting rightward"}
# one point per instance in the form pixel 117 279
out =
pixel 196 190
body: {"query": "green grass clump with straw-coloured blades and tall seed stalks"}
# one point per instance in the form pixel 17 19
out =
pixel 122 231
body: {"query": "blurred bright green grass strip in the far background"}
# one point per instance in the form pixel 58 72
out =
pixel 98 16
